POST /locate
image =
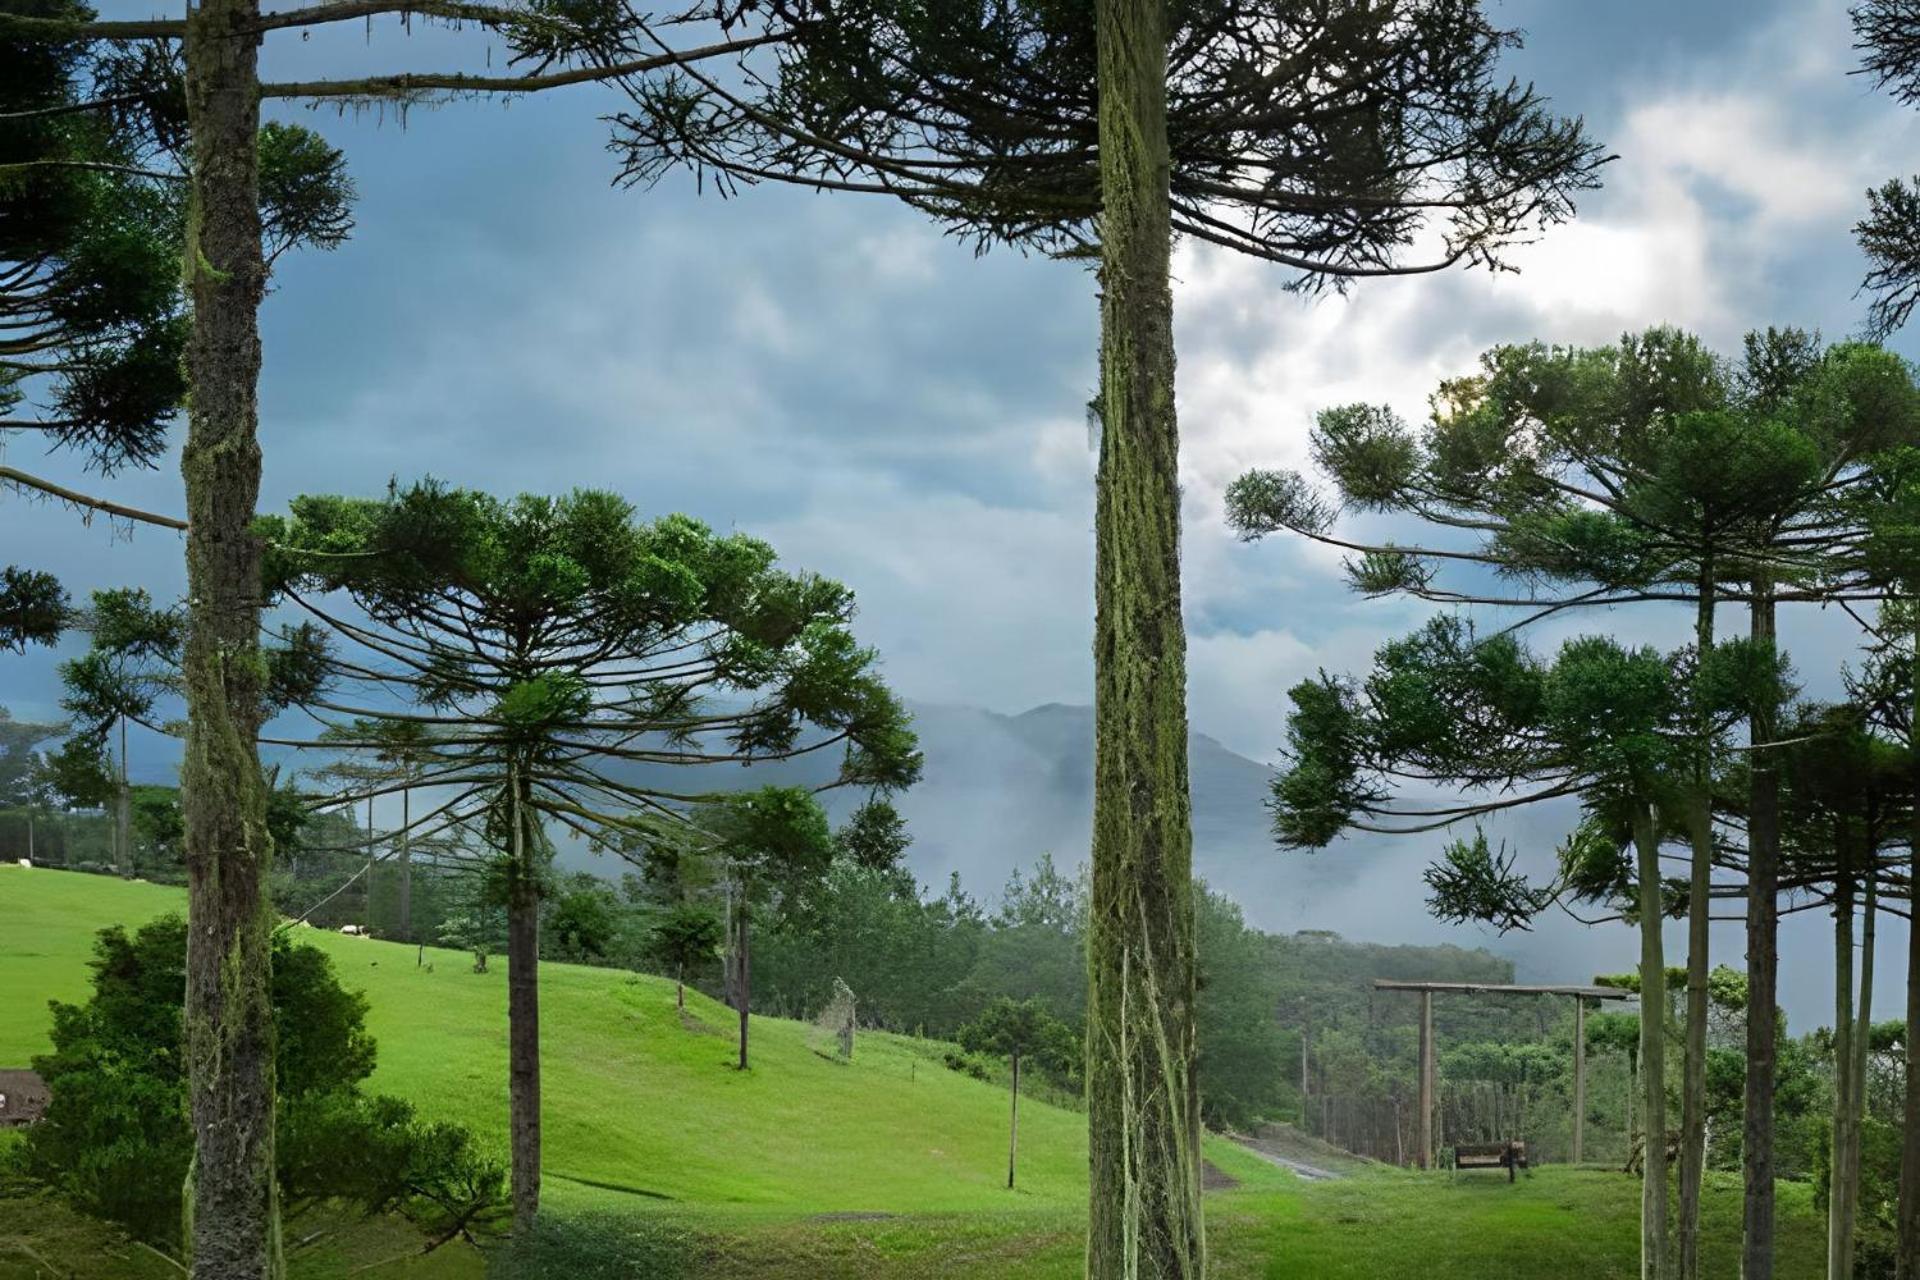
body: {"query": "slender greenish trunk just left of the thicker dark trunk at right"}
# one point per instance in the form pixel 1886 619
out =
pixel 1700 884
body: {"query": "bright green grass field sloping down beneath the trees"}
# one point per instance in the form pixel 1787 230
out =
pixel 890 1166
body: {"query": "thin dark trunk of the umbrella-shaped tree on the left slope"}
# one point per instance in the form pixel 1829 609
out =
pixel 523 1018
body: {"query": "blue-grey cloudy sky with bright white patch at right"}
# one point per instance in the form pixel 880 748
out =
pixel 886 408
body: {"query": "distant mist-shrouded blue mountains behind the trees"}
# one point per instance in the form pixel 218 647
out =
pixel 1001 790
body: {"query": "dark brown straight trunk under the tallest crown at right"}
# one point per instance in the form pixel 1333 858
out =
pixel 1764 966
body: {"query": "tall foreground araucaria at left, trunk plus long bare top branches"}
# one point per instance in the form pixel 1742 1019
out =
pixel 214 108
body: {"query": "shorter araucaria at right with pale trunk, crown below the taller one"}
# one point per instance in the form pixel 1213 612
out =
pixel 1497 726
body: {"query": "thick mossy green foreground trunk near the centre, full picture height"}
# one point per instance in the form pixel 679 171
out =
pixel 1141 1089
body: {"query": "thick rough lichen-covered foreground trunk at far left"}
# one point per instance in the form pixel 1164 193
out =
pixel 233 1202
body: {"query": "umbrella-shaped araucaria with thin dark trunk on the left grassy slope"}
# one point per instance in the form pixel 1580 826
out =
pixel 564 652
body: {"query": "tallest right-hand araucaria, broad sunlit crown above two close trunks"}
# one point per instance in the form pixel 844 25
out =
pixel 1644 471
